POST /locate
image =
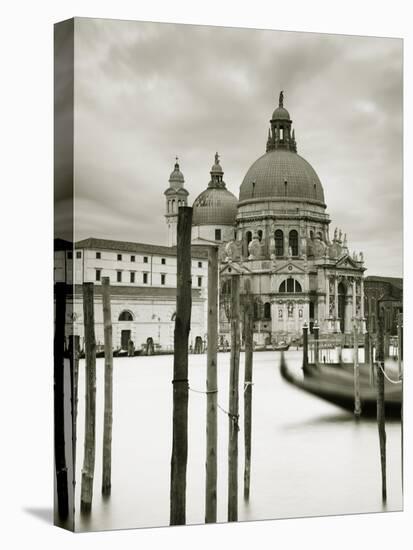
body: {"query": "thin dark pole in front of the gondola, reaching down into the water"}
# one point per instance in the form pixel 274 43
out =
pixel 381 419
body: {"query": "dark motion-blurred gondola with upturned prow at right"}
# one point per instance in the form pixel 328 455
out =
pixel 338 388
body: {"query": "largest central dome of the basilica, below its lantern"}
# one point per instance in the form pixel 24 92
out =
pixel 281 174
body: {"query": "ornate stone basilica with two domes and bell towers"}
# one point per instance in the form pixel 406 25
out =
pixel 276 237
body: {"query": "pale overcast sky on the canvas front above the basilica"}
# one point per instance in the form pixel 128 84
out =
pixel 145 92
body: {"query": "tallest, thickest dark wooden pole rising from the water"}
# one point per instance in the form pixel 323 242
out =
pixel 180 375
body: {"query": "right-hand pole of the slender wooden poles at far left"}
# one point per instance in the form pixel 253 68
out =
pixel 108 407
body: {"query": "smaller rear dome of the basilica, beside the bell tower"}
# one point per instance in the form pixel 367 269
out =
pixel 215 206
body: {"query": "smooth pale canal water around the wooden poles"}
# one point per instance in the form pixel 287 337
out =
pixel 309 458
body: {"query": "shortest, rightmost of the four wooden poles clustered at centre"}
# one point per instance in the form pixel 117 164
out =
pixel 249 338
